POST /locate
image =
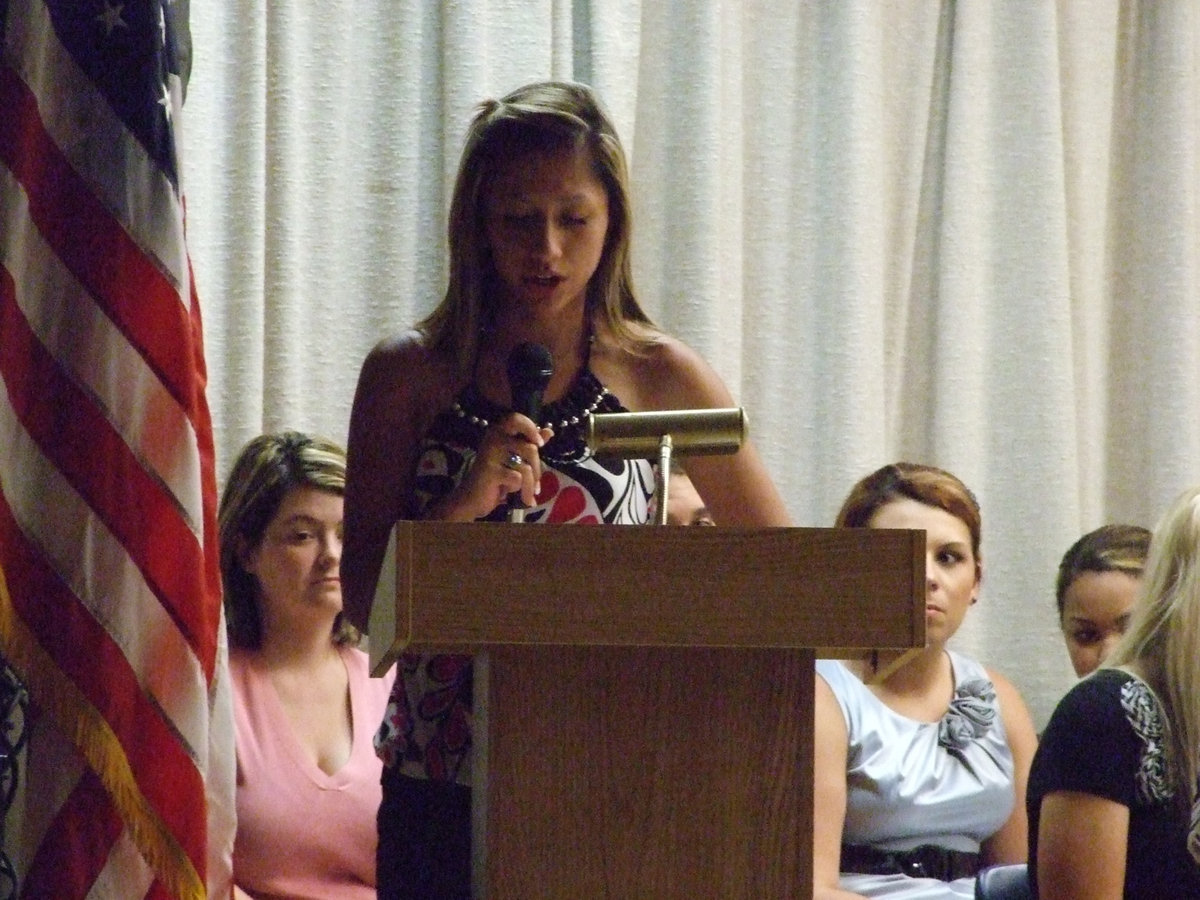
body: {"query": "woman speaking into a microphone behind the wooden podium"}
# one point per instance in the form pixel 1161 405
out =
pixel 539 242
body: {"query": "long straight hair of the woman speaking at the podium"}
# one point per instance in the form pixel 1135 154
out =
pixel 541 118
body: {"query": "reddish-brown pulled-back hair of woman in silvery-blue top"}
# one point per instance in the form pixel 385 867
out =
pixel 925 484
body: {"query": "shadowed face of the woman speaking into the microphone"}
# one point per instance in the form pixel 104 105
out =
pixel 547 219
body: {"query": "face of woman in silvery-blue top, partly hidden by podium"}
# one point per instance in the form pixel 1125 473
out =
pixel 952 581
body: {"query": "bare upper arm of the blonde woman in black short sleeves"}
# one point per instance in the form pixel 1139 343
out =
pixel 1082 848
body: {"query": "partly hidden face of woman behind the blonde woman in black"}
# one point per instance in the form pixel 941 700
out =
pixel 1096 610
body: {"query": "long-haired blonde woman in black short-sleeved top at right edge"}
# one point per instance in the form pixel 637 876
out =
pixel 1113 791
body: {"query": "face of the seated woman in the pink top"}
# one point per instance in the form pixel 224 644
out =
pixel 298 561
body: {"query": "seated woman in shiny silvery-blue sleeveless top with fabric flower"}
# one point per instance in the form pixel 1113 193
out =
pixel 920 761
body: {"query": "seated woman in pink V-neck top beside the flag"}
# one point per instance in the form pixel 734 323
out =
pixel 305 706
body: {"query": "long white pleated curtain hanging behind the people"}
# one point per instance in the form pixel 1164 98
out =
pixel 959 233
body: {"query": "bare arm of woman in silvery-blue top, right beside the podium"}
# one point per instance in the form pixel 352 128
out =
pixel 829 794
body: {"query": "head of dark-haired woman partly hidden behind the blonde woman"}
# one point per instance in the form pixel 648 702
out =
pixel 1096 591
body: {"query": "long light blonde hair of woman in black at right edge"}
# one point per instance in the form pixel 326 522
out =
pixel 1163 641
